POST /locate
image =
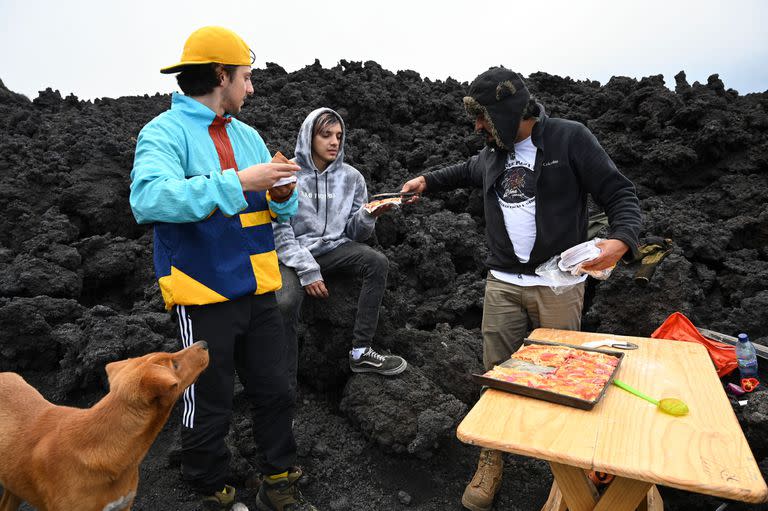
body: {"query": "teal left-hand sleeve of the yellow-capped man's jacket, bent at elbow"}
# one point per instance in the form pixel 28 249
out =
pixel 160 190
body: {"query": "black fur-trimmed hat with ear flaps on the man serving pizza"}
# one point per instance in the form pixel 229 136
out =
pixel 500 95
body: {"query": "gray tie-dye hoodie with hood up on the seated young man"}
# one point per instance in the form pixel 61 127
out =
pixel 330 211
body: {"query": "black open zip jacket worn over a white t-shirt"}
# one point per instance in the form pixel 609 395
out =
pixel 570 163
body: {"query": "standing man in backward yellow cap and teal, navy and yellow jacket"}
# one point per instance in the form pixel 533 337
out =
pixel 204 179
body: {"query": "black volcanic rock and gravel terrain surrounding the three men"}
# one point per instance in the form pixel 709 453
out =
pixel 77 288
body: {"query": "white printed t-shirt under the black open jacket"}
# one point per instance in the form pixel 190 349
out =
pixel 516 192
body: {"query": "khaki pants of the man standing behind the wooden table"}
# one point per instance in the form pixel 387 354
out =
pixel 510 312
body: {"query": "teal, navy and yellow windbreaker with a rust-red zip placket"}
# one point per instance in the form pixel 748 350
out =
pixel 212 241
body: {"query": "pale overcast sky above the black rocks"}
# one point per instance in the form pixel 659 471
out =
pixel 114 48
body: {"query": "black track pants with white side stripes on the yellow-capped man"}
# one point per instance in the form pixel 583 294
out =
pixel 243 335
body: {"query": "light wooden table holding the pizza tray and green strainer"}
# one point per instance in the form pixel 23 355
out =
pixel 703 452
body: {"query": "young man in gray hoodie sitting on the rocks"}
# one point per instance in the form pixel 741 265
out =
pixel 325 235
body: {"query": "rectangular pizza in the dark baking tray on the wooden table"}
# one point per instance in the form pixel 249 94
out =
pixel 558 369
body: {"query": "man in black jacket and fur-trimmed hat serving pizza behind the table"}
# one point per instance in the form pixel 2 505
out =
pixel 535 173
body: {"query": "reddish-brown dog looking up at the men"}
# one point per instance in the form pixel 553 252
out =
pixel 59 458
